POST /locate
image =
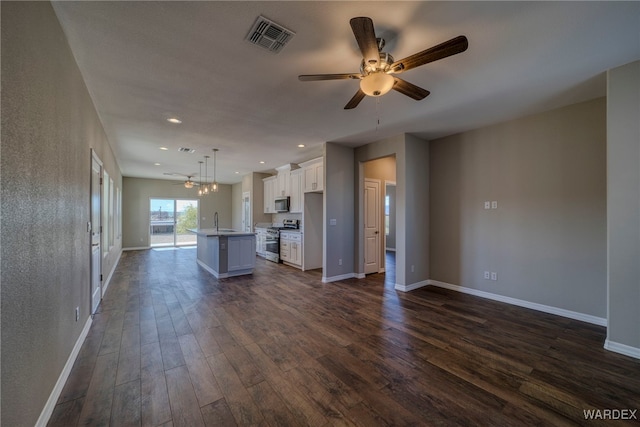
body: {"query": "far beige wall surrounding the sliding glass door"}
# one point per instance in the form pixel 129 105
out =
pixel 136 193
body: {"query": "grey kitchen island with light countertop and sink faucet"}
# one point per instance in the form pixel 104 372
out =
pixel 226 253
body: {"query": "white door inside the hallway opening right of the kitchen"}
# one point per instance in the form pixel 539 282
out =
pixel 371 226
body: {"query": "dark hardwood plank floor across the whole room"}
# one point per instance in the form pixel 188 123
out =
pixel 172 346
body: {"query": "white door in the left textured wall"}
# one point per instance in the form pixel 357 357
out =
pixel 96 228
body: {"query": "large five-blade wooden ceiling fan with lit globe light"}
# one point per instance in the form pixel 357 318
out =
pixel 377 67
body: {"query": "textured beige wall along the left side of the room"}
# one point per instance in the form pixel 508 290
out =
pixel 49 126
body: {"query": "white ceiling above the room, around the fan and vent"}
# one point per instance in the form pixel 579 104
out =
pixel 146 61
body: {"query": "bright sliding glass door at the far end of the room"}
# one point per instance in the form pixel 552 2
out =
pixel 170 221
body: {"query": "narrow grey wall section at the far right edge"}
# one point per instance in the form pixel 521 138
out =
pixel 623 208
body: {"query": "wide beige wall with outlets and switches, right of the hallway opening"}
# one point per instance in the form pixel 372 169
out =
pixel 547 239
